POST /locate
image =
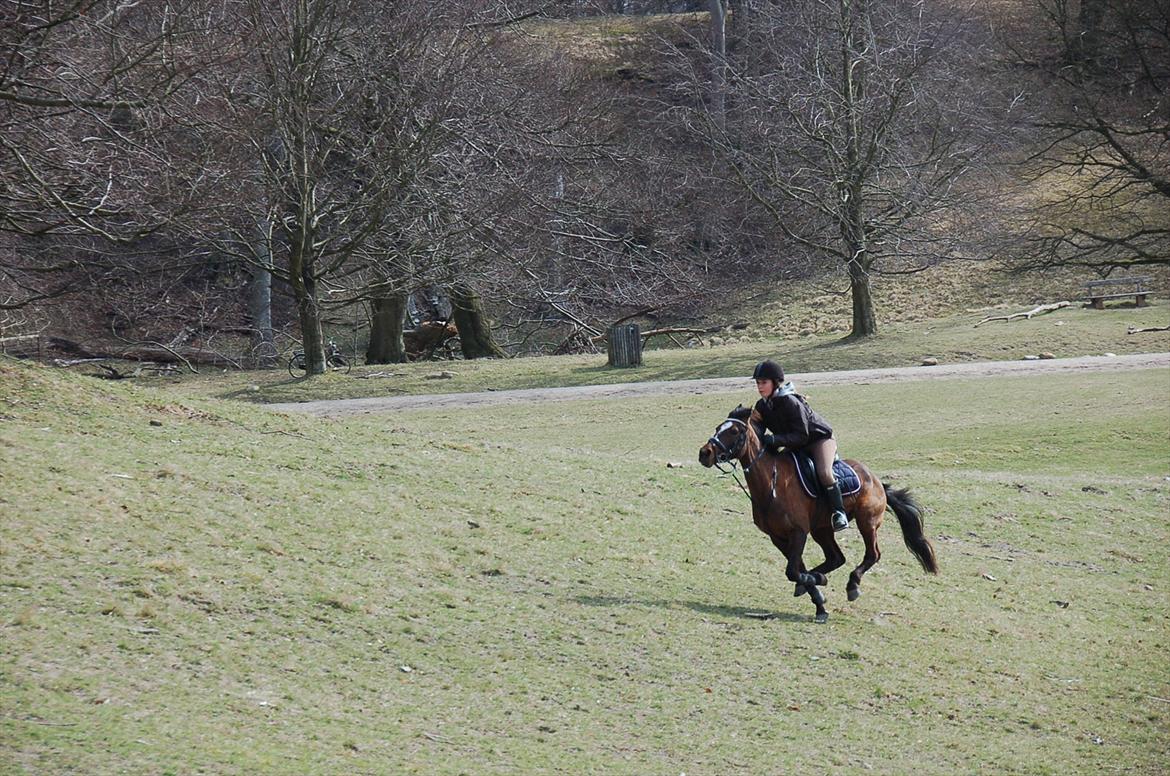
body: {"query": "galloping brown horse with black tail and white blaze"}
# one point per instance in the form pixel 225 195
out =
pixel 783 511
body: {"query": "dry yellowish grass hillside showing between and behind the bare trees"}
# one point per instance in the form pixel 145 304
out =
pixel 634 57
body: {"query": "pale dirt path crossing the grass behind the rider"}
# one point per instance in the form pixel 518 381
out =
pixel 342 408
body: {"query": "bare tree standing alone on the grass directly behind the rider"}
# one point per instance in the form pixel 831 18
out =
pixel 848 127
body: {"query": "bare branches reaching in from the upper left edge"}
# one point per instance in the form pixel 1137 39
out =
pixel 88 143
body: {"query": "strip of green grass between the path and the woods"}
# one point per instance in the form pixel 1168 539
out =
pixel 1072 332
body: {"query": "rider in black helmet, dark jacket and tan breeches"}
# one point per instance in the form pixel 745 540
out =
pixel 796 427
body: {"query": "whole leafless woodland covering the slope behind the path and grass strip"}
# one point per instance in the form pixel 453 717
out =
pixel 479 178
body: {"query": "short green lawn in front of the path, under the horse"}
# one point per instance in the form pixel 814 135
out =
pixel 203 587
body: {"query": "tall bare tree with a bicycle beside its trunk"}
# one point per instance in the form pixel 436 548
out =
pixel 336 132
